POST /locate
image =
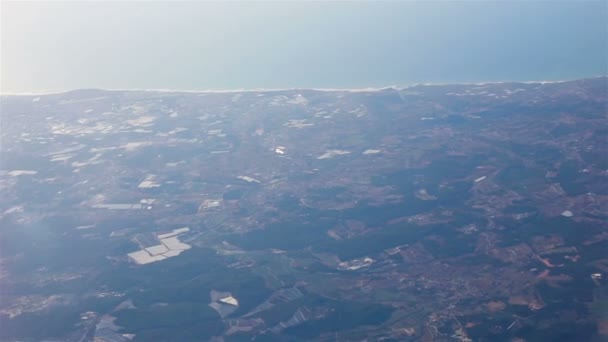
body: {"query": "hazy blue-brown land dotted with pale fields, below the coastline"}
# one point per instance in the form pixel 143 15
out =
pixel 456 211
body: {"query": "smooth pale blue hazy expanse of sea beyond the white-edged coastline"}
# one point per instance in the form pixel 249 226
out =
pixel 54 46
